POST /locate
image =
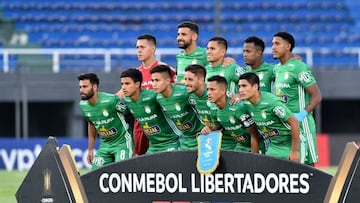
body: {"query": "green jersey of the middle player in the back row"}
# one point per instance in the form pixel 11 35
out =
pixel 231 72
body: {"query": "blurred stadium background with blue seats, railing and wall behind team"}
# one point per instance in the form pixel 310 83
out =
pixel 45 44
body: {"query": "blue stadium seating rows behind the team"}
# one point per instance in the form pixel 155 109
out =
pixel 116 24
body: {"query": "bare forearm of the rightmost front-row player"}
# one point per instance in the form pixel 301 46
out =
pixel 295 132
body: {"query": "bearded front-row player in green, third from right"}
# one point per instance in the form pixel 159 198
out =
pixel 195 83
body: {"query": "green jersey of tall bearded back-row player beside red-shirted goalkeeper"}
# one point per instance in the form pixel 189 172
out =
pixel 198 56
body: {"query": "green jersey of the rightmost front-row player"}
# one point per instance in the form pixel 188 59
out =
pixel 270 115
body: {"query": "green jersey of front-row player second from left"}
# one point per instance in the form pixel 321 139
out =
pixel 161 131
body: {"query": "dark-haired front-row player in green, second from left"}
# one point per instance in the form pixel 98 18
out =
pixel 143 105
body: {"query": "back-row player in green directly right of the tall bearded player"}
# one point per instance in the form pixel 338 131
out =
pixel 216 50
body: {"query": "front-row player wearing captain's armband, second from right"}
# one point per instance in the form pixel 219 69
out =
pixel 234 119
